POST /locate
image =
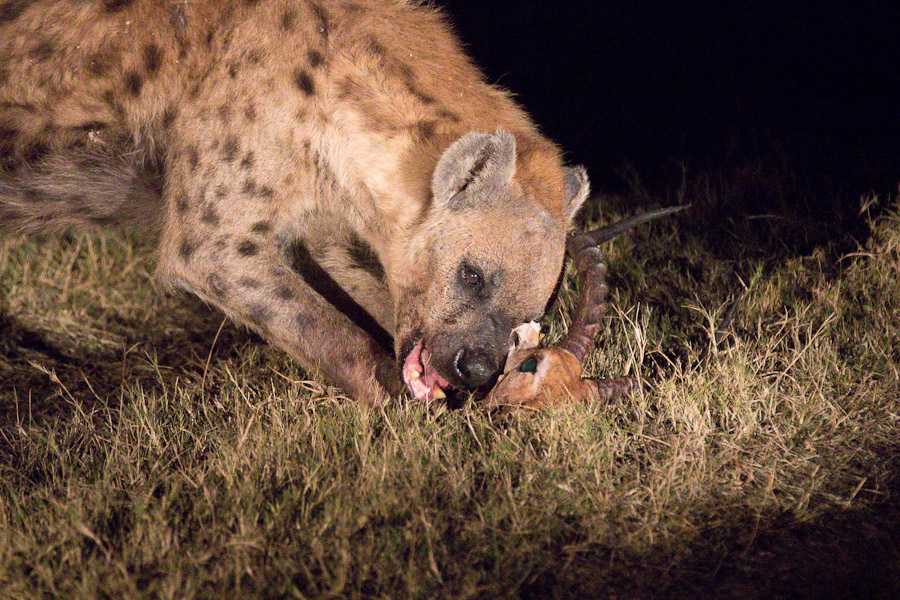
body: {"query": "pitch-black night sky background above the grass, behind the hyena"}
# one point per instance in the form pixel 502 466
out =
pixel 656 84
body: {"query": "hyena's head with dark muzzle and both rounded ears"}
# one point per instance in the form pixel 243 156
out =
pixel 486 258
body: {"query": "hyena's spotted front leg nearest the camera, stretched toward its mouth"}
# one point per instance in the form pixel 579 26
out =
pixel 229 254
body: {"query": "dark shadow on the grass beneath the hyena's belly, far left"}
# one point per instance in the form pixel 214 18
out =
pixel 40 377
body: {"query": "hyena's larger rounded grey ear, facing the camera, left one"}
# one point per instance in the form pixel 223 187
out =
pixel 474 162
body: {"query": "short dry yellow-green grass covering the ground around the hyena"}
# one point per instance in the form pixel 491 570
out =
pixel 148 448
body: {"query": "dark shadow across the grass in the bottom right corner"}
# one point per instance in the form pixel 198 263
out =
pixel 841 555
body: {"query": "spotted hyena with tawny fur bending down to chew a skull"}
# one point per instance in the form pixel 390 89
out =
pixel 331 173
